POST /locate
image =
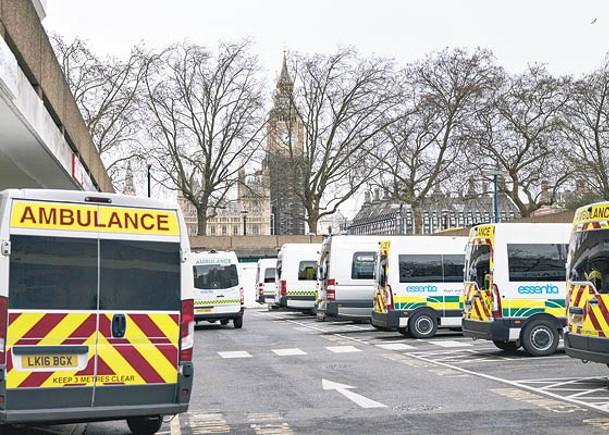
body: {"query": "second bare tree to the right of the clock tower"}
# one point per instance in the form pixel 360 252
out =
pixel 426 145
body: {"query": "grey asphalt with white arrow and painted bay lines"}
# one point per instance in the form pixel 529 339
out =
pixel 286 373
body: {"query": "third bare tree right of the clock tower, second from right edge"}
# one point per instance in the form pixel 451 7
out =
pixel 519 135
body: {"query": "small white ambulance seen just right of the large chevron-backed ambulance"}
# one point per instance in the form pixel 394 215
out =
pixel 218 290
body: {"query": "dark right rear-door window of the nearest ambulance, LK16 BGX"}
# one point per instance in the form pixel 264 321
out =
pixel 139 275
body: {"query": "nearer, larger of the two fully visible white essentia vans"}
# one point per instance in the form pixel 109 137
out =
pixel 515 285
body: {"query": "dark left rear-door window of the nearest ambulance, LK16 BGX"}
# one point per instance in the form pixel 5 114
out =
pixel 53 273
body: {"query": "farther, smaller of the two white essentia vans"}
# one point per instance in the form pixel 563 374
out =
pixel 419 284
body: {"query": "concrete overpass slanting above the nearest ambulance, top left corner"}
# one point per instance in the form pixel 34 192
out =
pixel 43 139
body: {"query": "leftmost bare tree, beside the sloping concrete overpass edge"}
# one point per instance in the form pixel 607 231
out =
pixel 106 92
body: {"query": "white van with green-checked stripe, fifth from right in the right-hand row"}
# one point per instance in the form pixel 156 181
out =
pixel 296 280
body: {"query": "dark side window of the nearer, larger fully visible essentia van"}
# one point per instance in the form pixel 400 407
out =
pixel 537 262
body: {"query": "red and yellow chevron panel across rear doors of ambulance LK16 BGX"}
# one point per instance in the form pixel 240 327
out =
pixel 147 354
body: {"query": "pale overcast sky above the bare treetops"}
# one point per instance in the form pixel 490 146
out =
pixel 570 37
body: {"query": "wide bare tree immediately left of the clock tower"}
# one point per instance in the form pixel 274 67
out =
pixel 205 120
